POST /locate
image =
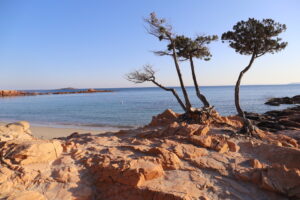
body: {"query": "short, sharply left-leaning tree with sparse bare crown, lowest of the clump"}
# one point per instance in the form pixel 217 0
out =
pixel 147 74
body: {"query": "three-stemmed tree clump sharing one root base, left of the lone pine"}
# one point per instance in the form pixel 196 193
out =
pixel 180 48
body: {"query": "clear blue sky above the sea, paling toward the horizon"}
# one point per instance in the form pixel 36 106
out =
pixel 93 43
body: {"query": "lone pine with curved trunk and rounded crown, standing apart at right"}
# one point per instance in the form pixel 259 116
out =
pixel 255 38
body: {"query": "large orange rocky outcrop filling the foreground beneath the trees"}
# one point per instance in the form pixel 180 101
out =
pixel 167 159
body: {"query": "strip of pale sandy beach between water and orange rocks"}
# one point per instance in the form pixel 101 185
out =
pixel 45 132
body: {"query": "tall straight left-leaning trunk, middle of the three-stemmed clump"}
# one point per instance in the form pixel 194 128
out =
pixel 186 97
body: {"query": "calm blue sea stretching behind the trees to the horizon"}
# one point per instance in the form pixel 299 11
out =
pixel 131 107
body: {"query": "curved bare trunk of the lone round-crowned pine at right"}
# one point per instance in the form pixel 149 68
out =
pixel 237 88
